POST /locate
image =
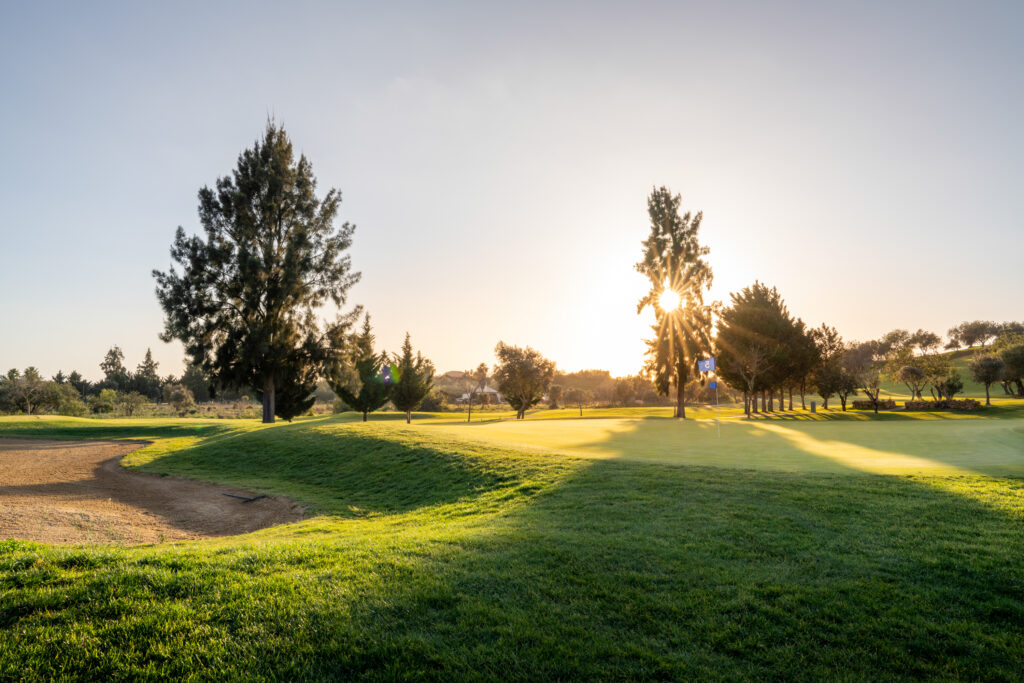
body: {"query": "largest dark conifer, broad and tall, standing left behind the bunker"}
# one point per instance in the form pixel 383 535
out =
pixel 244 304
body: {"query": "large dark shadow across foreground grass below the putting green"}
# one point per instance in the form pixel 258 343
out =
pixel 628 571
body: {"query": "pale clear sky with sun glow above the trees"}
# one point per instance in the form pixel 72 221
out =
pixel 866 158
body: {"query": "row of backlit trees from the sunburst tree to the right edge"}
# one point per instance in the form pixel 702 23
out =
pixel 766 354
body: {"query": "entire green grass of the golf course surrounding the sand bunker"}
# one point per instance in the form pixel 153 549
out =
pixel 624 546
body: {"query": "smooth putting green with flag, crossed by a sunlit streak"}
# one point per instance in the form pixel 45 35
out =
pixel 889 447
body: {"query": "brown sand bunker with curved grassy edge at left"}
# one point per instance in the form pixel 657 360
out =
pixel 75 492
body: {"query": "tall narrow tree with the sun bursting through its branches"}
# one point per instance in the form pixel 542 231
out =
pixel 673 262
